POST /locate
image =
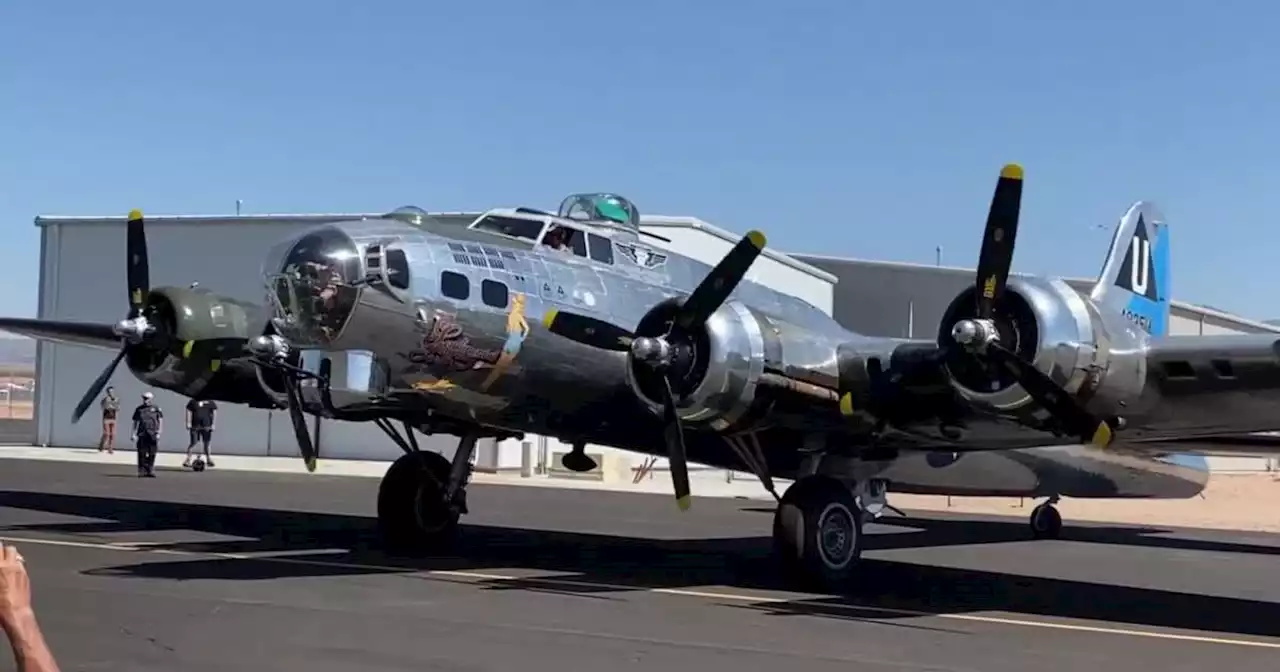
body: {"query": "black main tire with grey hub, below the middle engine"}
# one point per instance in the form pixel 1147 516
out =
pixel 798 532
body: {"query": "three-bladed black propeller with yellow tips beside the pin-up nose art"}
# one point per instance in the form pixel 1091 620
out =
pixel 670 355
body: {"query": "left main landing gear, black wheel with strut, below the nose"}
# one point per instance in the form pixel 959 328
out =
pixel 423 495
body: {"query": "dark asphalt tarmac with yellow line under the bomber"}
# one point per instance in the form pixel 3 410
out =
pixel 282 573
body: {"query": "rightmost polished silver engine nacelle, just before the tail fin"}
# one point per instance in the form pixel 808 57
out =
pixel 1094 356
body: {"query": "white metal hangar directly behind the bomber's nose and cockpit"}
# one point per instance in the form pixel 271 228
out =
pixel 83 277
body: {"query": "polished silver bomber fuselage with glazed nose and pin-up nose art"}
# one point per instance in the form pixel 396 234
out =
pixel 463 337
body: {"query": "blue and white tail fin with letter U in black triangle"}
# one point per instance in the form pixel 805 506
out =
pixel 1135 278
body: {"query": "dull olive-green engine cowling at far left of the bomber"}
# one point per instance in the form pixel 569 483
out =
pixel 181 316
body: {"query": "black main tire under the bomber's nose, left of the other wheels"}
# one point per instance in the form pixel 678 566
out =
pixel 412 510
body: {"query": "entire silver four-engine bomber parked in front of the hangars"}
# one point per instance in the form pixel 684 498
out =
pixel 574 326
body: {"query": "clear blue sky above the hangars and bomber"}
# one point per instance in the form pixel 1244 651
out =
pixel 842 127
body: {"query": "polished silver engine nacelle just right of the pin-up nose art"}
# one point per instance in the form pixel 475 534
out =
pixel 730 354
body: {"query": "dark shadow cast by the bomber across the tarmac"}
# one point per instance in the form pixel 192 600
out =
pixel 328 545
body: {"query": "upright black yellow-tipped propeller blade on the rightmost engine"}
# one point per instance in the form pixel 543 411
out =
pixel 998 243
